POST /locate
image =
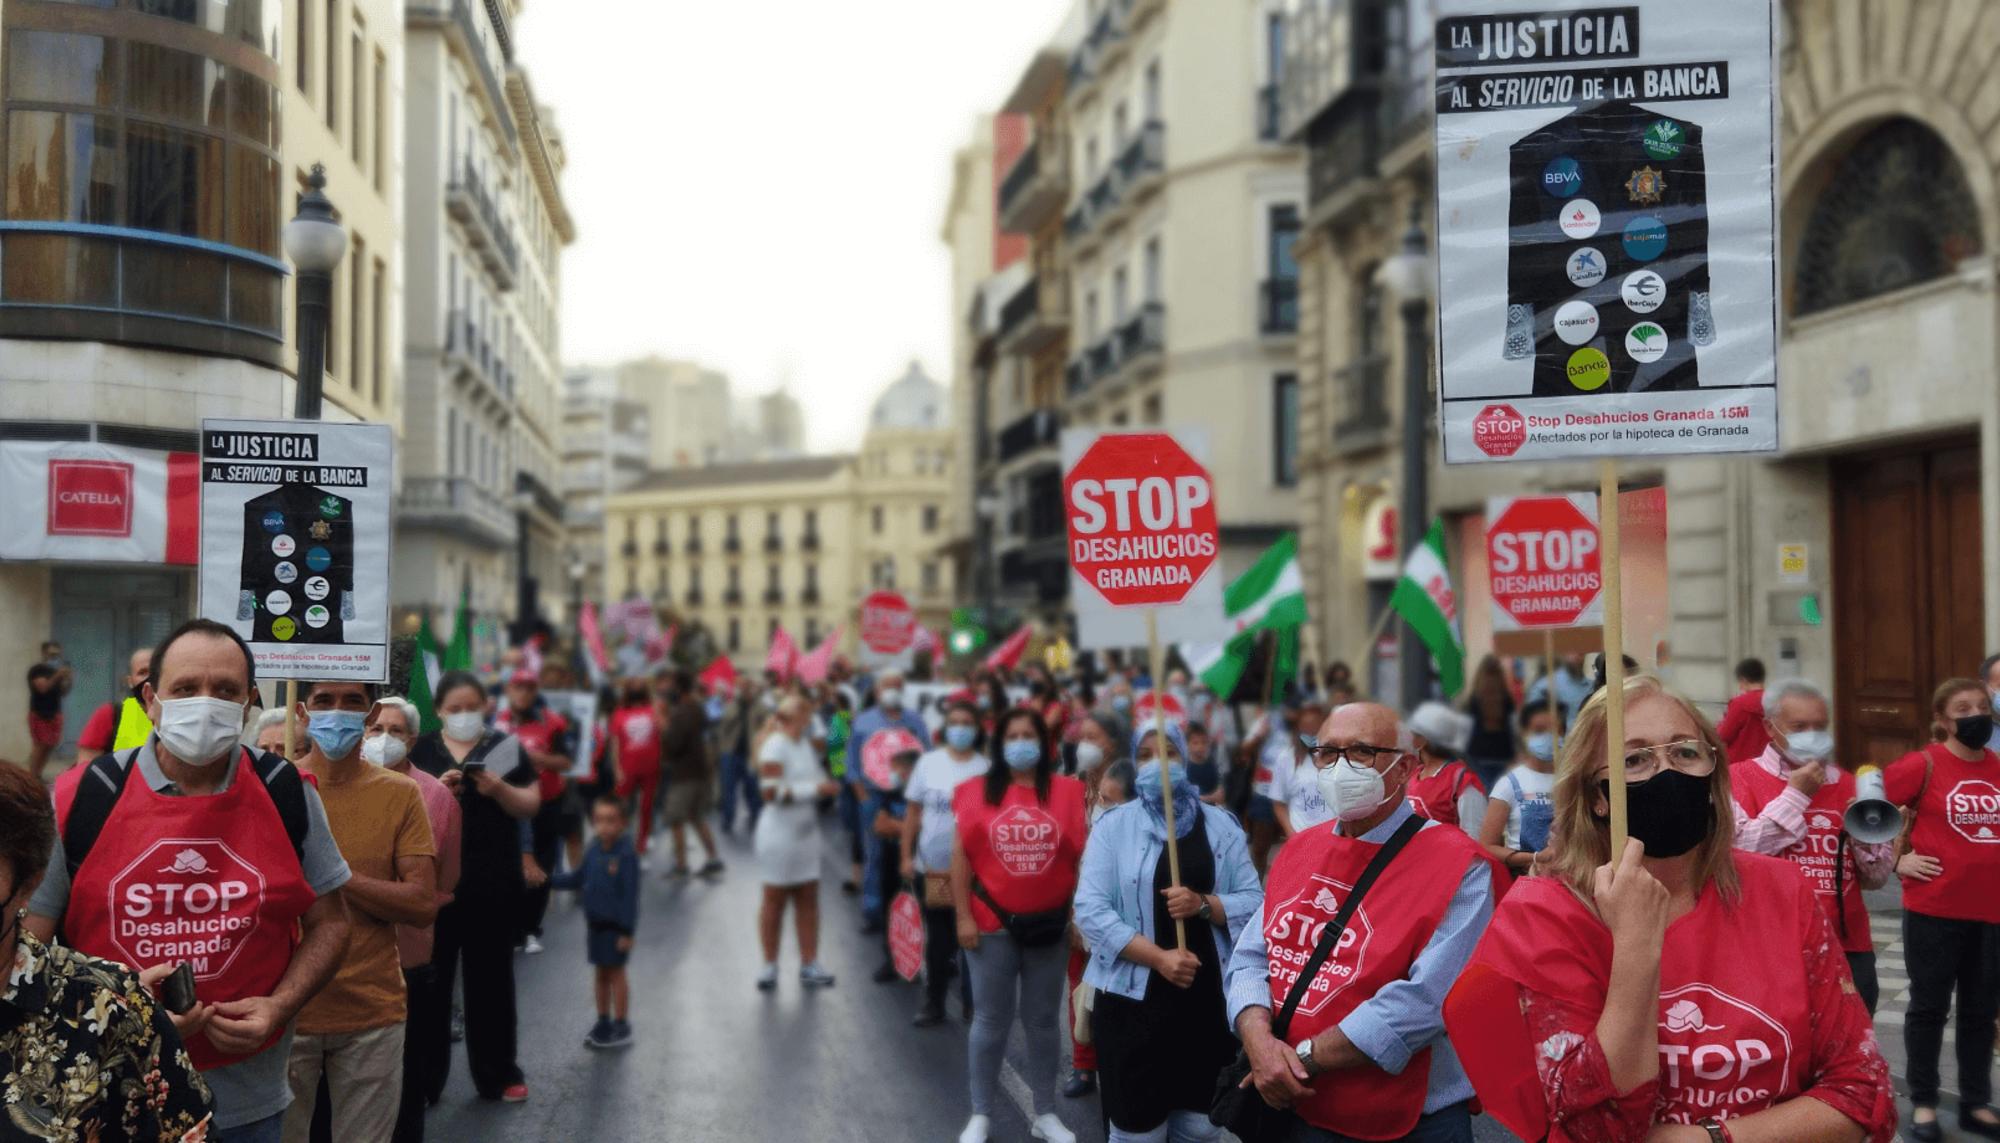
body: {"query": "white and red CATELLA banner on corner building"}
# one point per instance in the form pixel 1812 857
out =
pixel 81 501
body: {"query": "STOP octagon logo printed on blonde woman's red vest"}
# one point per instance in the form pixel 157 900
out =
pixel 1719 1056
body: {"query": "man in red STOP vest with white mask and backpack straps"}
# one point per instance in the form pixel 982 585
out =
pixel 195 850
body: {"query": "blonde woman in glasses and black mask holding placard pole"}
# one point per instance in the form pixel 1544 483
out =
pixel 1689 994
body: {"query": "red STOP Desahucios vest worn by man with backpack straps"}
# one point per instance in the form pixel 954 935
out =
pixel 203 880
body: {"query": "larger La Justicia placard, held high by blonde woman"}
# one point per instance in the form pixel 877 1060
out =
pixel 1607 263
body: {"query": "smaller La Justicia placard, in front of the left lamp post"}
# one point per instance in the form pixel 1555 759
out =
pixel 295 545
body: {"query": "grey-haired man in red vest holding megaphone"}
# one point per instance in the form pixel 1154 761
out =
pixel 1791 802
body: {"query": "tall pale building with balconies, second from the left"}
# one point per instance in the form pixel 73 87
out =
pixel 485 235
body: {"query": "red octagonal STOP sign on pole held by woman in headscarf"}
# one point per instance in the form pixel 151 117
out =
pixel 1143 521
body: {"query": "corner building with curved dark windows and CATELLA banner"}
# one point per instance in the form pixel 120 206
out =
pixel 155 153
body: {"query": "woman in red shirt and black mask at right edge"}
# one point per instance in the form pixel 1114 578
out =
pixel 1951 904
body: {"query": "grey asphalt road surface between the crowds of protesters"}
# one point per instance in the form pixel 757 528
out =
pixel 719 1062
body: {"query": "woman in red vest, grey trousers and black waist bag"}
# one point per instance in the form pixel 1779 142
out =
pixel 1015 860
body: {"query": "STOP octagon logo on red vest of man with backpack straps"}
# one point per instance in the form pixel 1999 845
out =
pixel 187 900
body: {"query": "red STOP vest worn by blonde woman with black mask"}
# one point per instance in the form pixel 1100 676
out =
pixel 1735 1018
